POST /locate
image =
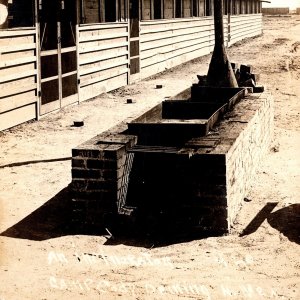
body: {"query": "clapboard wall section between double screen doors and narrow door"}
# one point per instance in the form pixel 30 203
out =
pixel 103 58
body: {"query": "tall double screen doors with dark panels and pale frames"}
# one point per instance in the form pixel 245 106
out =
pixel 59 82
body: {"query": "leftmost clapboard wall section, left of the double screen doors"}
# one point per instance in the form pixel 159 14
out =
pixel 18 77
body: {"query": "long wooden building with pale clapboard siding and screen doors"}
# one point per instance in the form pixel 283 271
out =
pixel 57 52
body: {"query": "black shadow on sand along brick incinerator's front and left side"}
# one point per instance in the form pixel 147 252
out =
pixel 54 219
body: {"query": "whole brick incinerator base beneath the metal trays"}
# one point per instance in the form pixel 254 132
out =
pixel 202 183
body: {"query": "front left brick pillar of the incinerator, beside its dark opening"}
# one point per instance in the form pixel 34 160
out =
pixel 99 176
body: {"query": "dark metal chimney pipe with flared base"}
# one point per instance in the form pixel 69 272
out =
pixel 220 73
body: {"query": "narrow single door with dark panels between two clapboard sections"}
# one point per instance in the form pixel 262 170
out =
pixel 134 38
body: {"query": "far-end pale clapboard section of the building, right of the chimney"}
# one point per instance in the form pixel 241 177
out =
pixel 245 26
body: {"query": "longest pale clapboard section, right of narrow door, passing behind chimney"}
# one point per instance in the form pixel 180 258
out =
pixel 167 43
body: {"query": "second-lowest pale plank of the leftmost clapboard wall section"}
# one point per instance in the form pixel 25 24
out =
pixel 19 100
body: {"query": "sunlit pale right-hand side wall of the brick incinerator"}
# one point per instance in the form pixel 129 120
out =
pixel 256 124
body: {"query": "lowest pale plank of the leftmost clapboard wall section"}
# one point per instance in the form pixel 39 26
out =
pixel 18 116
